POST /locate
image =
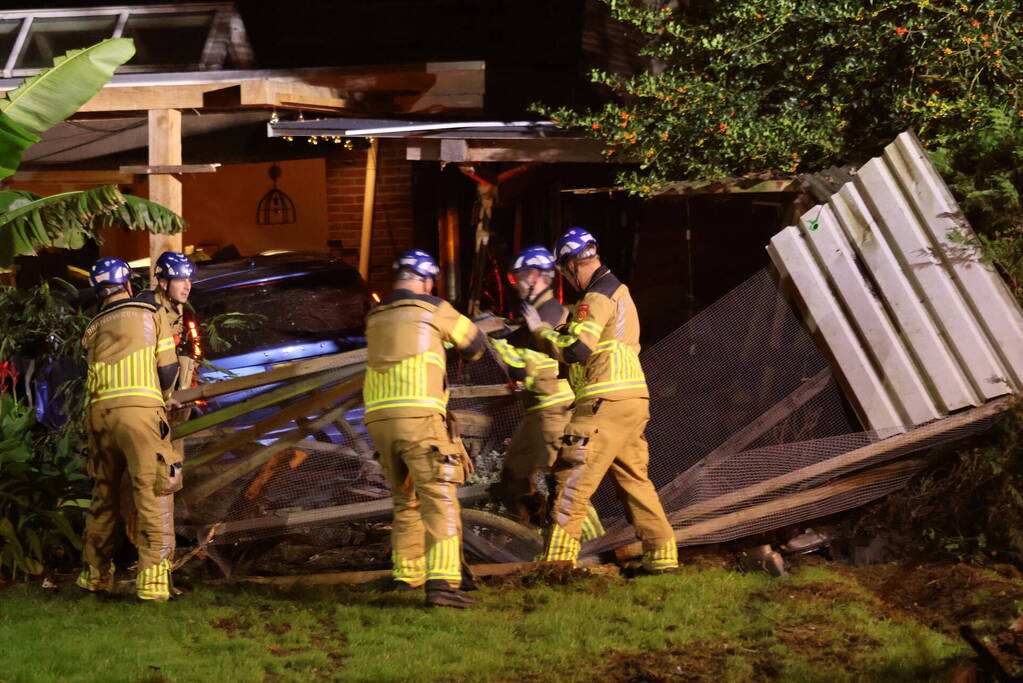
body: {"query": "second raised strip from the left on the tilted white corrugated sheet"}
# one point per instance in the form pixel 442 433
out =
pixel 899 373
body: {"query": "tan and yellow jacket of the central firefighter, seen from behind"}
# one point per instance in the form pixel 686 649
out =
pixel 407 368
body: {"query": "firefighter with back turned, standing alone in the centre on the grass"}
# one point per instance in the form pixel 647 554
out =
pixel 421 454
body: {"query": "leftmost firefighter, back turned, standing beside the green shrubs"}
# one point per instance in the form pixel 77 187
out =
pixel 131 368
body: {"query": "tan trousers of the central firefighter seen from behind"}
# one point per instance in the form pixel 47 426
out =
pixel 424 466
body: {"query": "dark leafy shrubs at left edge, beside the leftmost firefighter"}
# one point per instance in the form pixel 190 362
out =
pixel 42 482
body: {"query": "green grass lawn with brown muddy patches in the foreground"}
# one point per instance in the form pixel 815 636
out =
pixel 825 623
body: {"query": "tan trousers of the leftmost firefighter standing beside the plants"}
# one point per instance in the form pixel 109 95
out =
pixel 136 440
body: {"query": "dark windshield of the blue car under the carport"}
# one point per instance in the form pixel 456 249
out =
pixel 318 306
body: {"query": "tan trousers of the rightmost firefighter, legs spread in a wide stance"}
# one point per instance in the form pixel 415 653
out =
pixel 609 436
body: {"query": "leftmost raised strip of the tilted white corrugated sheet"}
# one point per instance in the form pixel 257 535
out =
pixel 794 260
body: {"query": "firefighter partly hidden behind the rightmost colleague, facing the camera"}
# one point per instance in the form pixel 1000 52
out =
pixel 548 399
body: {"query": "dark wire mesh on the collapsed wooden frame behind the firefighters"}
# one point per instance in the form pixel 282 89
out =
pixel 743 408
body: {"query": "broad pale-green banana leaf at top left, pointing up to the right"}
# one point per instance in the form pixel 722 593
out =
pixel 46 100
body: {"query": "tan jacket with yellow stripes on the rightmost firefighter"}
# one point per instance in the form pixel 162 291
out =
pixel 601 342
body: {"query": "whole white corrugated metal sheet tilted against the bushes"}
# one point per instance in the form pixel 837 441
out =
pixel 926 327
